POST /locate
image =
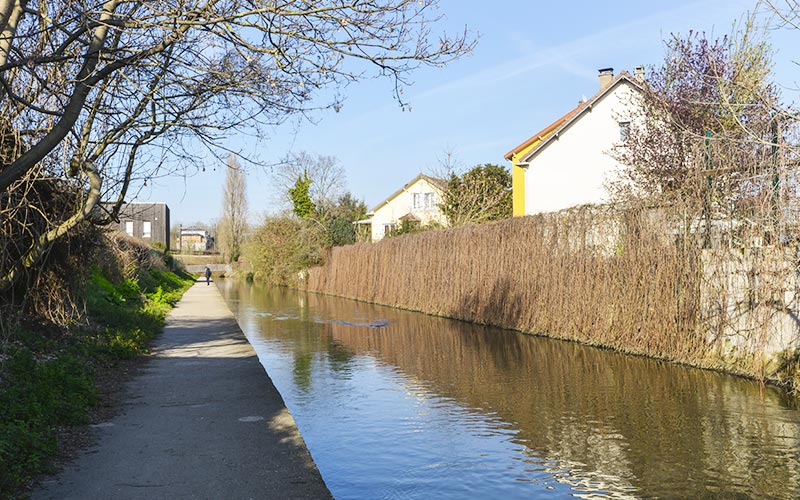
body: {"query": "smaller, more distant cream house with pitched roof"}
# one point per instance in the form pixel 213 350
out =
pixel 417 202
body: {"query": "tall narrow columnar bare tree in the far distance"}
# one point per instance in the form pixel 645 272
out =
pixel 233 222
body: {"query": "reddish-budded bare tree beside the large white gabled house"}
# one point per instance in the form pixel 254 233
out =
pixel 702 136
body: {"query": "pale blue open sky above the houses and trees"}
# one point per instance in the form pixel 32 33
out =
pixel 533 62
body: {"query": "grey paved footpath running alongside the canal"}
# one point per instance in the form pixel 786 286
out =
pixel 202 419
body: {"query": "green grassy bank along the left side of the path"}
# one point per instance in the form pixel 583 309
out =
pixel 48 374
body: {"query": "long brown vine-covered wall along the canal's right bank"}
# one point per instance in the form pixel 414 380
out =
pixel 625 281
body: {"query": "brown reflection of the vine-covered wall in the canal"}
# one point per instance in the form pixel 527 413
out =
pixel 665 430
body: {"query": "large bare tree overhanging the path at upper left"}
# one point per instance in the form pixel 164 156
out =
pixel 100 97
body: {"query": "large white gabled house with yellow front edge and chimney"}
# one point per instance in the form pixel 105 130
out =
pixel 568 162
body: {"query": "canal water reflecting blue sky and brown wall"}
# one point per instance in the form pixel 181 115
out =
pixel 400 405
